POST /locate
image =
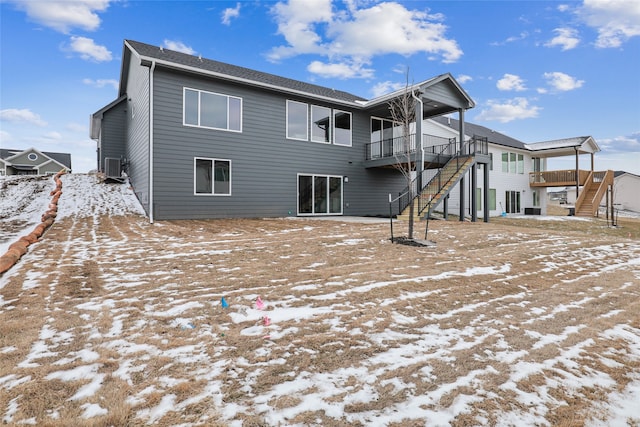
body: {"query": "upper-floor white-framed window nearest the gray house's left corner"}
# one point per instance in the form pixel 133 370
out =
pixel 212 110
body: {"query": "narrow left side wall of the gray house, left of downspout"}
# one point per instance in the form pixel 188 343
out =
pixel 138 131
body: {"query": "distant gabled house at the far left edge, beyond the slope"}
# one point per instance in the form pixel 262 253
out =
pixel 33 162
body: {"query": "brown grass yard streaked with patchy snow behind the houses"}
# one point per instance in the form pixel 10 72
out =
pixel 110 320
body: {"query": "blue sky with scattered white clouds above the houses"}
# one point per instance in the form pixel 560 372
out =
pixel 537 70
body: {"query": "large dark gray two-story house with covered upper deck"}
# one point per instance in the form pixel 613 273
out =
pixel 203 139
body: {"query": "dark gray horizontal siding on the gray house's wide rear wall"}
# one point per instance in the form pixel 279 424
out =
pixel 265 164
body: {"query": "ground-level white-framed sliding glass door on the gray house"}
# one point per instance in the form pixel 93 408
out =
pixel 319 195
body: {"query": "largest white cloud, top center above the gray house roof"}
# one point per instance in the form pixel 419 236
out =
pixel 355 35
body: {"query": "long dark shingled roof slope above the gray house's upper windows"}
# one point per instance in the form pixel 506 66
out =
pixel 227 71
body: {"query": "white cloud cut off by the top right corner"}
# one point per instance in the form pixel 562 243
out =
pixel 615 20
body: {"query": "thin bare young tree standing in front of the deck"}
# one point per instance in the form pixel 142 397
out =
pixel 402 110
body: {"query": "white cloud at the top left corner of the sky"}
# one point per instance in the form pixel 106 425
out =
pixel 64 15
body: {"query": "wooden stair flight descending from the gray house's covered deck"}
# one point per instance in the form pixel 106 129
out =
pixel 438 187
